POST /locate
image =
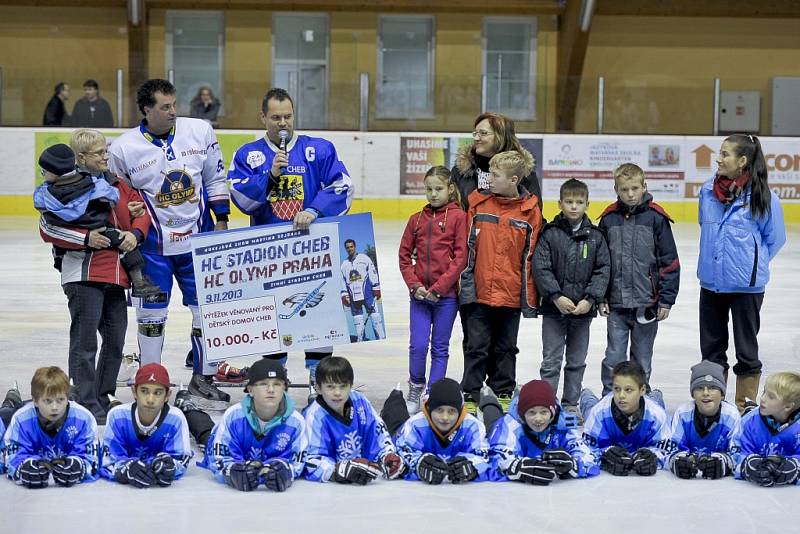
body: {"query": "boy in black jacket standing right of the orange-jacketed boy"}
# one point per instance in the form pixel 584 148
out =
pixel 571 267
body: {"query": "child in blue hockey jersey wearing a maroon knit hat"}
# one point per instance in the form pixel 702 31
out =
pixel 537 440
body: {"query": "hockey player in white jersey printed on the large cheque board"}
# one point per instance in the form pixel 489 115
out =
pixel 362 290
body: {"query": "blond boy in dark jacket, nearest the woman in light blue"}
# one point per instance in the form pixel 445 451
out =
pixel 645 272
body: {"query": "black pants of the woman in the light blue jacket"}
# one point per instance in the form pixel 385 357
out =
pixel 744 309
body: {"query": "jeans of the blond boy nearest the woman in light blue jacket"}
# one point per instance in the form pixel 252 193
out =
pixel 621 326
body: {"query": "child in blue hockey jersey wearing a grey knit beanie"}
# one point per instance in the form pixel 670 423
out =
pixel 703 430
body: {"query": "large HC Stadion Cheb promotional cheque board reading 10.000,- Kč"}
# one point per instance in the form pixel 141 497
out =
pixel 271 288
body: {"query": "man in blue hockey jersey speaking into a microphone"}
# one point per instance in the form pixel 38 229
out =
pixel 285 177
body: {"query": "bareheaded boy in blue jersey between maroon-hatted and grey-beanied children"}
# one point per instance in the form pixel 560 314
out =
pixel 626 429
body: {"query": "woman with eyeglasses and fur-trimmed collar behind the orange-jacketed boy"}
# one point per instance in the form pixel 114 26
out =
pixel 492 133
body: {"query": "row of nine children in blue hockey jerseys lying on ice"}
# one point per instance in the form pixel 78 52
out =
pixel 340 437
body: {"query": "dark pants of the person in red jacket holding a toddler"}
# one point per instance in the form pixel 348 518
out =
pixel 95 307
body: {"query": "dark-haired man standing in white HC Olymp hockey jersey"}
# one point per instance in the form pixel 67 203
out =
pixel 176 165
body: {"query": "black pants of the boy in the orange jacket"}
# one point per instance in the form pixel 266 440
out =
pixel 491 349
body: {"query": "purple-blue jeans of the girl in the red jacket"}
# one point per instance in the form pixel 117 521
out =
pixel 430 323
